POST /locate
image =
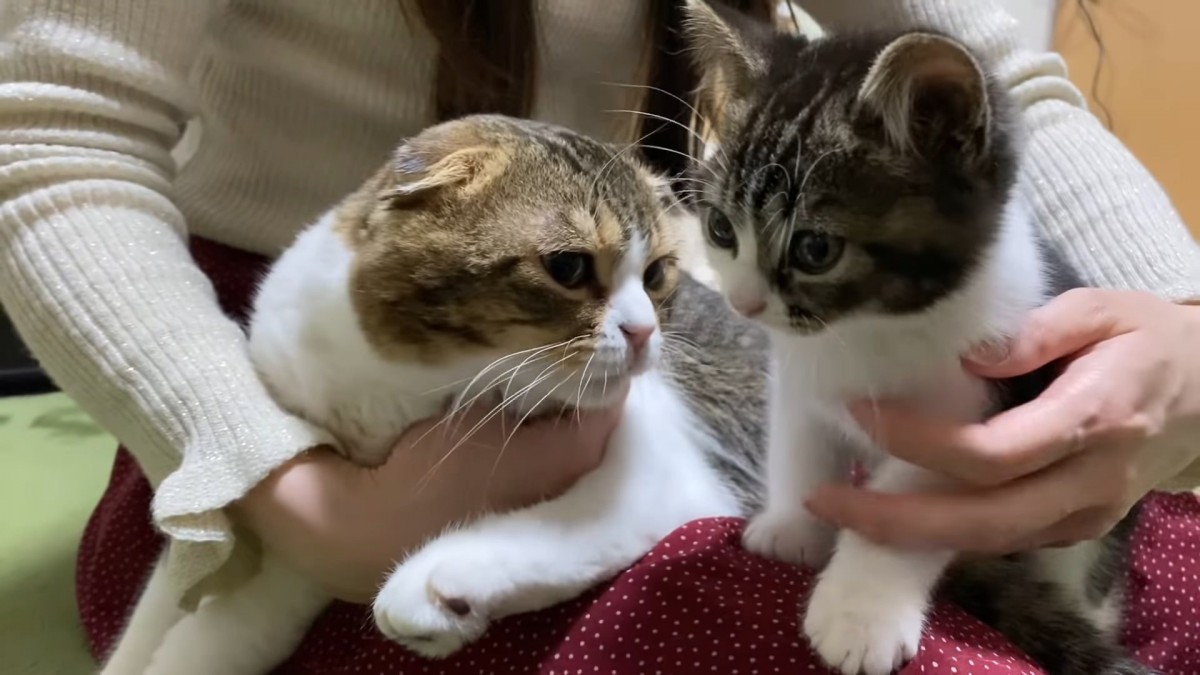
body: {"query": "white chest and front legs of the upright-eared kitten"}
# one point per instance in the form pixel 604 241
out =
pixel 869 606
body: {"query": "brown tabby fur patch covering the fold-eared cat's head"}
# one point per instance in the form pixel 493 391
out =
pixel 449 240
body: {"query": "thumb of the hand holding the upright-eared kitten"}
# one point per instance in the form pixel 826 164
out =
pixel 1067 325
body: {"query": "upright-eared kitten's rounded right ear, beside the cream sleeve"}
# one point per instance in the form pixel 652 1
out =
pixel 929 93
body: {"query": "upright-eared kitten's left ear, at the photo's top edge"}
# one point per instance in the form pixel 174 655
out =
pixel 730 52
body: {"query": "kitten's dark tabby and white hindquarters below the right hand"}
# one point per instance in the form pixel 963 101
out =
pixel 1025 599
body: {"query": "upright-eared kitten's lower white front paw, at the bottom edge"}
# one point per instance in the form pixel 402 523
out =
pixel 860 628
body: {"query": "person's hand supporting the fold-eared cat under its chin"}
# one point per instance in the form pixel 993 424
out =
pixel 346 527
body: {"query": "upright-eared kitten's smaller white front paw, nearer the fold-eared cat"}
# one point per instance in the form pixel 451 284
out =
pixel 794 537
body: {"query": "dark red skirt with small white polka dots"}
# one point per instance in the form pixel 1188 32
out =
pixel 698 604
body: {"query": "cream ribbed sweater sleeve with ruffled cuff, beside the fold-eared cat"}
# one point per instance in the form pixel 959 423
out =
pixel 94 266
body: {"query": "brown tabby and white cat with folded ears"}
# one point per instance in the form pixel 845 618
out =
pixel 493 258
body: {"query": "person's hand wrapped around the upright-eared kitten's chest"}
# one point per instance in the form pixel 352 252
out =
pixel 1123 417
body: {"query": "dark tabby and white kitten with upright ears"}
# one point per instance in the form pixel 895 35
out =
pixel 860 200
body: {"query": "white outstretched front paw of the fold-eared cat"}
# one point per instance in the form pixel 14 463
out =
pixel 418 610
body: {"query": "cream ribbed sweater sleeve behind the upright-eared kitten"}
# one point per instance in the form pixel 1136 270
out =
pixel 1091 198
